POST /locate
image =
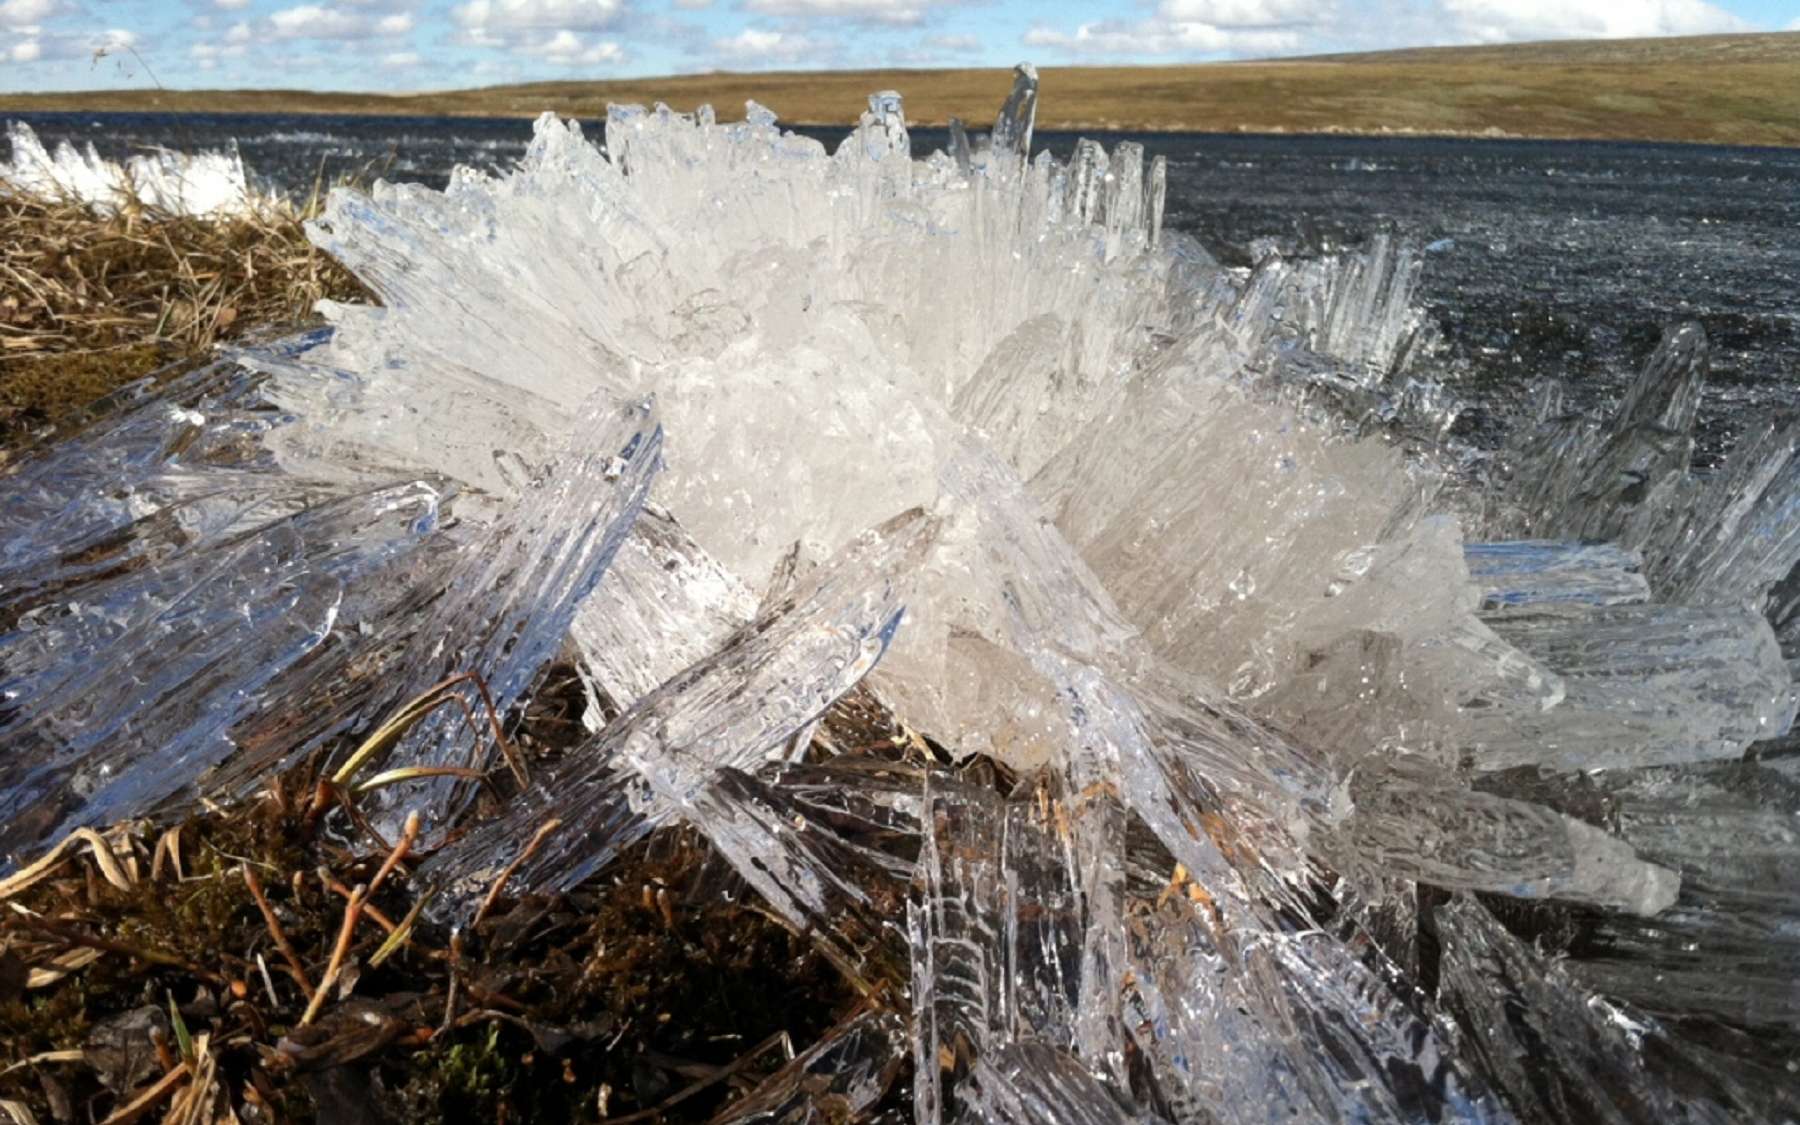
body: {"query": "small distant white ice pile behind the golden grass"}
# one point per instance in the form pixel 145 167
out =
pixel 199 184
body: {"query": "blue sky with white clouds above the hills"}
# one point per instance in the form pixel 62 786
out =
pixel 440 44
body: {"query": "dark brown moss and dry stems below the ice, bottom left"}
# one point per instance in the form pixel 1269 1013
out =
pixel 274 964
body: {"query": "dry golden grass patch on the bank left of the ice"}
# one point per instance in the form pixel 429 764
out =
pixel 93 301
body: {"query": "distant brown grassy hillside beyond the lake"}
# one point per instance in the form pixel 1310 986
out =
pixel 1709 89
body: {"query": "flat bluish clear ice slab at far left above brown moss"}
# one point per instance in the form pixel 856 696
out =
pixel 172 658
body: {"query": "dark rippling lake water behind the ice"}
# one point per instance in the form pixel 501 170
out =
pixel 1549 258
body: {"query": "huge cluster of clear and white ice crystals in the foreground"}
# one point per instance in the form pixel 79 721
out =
pixel 1284 706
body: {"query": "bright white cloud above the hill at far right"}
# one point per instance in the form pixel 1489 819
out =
pixel 1513 21
